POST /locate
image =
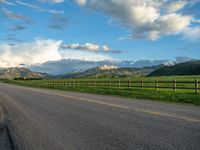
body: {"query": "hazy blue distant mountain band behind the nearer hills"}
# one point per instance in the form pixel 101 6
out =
pixel 67 66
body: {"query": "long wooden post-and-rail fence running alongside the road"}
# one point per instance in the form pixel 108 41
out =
pixel 128 84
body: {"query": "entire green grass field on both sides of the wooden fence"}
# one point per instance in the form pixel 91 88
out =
pixel 128 87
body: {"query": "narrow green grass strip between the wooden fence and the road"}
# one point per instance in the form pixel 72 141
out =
pixel 151 94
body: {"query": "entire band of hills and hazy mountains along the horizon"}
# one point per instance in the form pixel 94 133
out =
pixel 78 68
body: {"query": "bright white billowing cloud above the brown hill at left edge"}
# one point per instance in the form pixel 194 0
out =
pixel 35 52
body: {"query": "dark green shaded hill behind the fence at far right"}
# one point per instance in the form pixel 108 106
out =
pixel 187 68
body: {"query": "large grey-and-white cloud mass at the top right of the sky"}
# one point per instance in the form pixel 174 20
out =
pixel 146 18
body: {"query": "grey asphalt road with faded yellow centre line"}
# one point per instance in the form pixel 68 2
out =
pixel 39 119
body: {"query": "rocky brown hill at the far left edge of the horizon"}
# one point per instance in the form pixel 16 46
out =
pixel 11 73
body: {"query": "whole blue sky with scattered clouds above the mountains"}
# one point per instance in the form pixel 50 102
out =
pixel 40 30
